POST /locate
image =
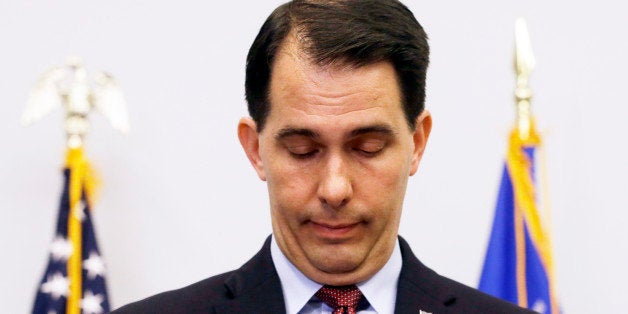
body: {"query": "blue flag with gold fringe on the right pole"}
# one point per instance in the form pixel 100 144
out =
pixel 518 265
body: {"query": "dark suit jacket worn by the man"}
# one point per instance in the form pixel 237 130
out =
pixel 255 288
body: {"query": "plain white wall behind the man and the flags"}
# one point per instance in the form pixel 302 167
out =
pixel 178 188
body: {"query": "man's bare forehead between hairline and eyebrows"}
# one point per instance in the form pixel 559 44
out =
pixel 305 92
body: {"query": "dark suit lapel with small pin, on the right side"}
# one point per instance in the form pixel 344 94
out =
pixel 419 287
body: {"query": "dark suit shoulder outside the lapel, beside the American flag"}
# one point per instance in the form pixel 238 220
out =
pixel 197 297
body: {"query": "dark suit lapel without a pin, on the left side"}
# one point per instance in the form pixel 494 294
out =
pixel 255 287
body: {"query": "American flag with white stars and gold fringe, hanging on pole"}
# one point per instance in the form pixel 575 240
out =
pixel 74 281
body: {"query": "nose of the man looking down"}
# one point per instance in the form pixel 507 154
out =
pixel 335 188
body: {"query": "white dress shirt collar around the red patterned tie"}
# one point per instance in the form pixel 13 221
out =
pixel 298 291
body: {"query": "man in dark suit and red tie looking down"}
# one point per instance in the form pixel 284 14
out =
pixel 335 91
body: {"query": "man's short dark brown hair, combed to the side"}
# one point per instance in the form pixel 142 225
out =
pixel 354 32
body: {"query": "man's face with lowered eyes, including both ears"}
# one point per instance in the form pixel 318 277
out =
pixel 336 152
